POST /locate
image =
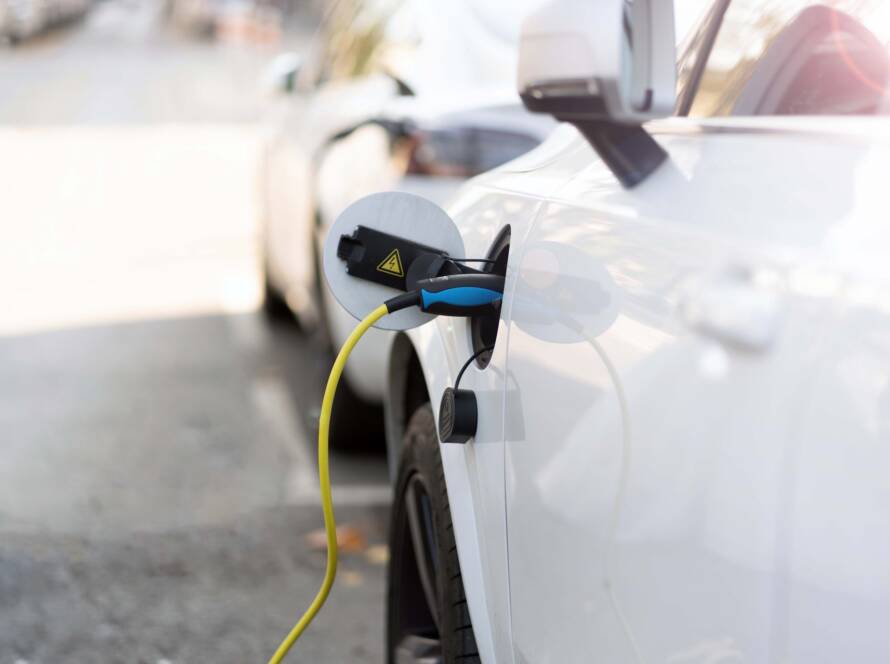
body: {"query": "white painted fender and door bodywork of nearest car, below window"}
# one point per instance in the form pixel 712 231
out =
pixel 738 300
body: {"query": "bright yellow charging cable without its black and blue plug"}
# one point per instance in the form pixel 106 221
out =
pixel 324 477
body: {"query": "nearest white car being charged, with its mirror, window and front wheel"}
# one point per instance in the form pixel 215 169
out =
pixel 683 443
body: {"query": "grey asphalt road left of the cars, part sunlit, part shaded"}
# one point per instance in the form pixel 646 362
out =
pixel 157 474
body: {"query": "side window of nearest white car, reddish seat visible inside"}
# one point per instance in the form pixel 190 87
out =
pixel 797 57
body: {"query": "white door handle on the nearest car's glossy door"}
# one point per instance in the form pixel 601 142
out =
pixel 734 310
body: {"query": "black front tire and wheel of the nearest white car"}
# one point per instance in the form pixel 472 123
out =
pixel 427 615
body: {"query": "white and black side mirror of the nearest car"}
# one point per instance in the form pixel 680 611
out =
pixel 606 67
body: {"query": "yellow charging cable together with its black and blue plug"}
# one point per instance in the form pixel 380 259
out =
pixel 456 295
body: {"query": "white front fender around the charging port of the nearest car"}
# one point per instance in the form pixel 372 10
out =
pixel 475 473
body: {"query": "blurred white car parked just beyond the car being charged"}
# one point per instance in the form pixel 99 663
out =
pixel 393 95
